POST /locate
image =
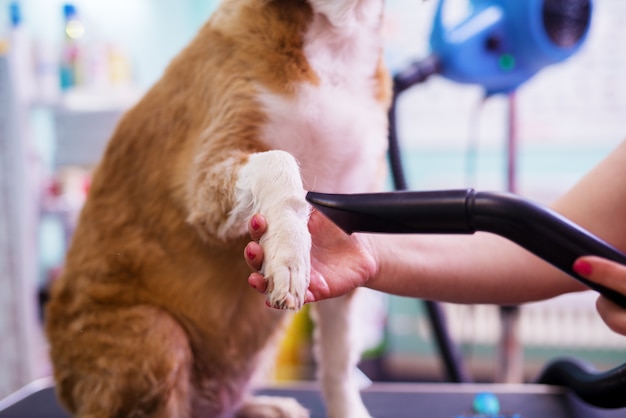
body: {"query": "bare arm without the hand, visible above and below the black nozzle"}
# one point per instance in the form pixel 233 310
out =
pixel 485 268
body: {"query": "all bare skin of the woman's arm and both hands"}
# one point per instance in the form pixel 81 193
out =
pixel 479 268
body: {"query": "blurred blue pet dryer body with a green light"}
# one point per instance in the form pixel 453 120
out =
pixel 503 43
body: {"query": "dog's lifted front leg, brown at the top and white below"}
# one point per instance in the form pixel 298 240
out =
pixel 268 183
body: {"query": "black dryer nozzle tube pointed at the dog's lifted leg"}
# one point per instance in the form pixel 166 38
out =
pixel 541 231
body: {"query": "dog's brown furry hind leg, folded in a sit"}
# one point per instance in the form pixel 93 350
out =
pixel 123 362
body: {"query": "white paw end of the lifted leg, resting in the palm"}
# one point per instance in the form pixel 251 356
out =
pixel 287 247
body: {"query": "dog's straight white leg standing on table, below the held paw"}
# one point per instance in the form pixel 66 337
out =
pixel 337 351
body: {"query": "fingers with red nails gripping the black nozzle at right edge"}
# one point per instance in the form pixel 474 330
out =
pixel 611 275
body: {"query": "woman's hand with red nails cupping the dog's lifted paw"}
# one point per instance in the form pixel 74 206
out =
pixel 339 262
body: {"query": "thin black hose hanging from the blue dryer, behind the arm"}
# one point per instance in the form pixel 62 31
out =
pixel 414 74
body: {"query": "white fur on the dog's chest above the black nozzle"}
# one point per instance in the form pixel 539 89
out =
pixel 335 129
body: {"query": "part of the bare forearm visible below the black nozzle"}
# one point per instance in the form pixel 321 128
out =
pixel 479 268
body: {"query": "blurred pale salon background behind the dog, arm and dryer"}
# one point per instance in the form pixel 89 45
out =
pixel 69 70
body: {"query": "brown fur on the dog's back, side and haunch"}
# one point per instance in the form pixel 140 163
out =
pixel 152 307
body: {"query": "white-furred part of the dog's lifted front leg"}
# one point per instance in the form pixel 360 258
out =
pixel 270 184
